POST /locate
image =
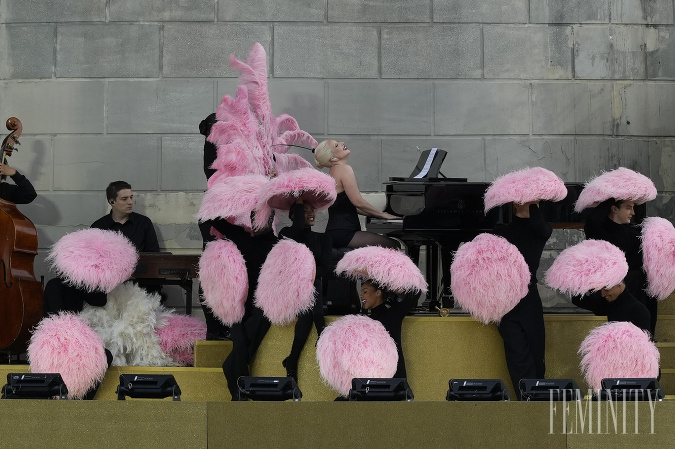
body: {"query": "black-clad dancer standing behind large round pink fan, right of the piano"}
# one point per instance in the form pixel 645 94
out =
pixel 522 328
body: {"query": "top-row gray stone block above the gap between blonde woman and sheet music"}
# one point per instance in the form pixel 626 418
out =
pixel 378 11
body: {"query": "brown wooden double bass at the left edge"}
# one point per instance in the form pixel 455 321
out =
pixel 20 292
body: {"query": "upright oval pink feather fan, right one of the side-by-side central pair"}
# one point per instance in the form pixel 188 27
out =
pixel 286 283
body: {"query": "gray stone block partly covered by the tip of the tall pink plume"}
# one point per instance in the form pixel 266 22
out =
pixel 204 49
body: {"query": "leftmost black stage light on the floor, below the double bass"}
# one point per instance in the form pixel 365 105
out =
pixel 34 386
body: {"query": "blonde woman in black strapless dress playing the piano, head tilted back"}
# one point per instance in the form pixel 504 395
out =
pixel 344 226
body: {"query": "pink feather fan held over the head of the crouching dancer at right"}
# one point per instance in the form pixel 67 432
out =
pixel 587 266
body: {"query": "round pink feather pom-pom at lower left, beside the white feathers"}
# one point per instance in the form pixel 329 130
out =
pixel 65 344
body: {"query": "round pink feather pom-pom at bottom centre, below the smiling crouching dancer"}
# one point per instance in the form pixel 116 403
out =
pixel 355 346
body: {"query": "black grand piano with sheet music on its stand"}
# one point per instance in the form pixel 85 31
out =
pixel 440 213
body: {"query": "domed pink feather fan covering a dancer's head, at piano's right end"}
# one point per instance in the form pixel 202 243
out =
pixel 523 186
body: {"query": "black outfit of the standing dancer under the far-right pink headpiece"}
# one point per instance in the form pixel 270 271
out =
pixel 627 238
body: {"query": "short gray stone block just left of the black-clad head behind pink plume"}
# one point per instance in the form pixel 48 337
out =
pixel 182 164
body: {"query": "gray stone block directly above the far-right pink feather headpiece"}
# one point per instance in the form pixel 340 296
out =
pixel 595 155
